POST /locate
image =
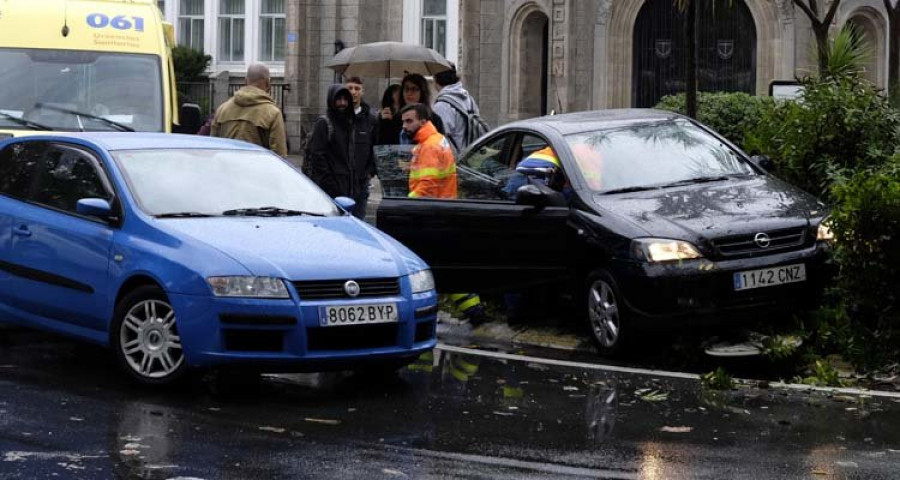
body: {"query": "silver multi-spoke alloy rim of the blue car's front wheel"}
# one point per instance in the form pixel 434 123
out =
pixel 149 341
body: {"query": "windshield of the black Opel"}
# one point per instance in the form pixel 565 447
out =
pixel 653 154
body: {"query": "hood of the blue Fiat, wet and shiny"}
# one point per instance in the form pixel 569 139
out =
pixel 303 248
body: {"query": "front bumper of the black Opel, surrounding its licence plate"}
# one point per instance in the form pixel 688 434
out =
pixel 702 291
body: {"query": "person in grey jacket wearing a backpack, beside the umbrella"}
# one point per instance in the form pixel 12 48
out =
pixel 458 110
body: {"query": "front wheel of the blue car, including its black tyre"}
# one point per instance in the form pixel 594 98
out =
pixel 145 338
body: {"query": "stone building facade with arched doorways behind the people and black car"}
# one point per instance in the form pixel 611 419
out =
pixel 523 58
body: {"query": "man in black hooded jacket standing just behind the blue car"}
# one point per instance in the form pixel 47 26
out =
pixel 340 156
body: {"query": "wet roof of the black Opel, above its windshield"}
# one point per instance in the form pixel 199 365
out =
pixel 570 123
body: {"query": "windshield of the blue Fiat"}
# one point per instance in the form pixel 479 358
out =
pixel 212 182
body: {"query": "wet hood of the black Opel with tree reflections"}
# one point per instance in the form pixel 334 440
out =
pixel 713 210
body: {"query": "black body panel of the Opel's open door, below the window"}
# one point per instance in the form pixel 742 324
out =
pixel 480 245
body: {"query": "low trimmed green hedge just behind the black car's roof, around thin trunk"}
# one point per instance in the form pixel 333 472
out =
pixel 730 114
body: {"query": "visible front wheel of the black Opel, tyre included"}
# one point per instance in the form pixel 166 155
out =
pixel 606 316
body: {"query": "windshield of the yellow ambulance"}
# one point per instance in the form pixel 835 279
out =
pixel 48 88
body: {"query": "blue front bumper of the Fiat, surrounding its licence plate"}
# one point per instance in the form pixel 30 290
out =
pixel 285 335
